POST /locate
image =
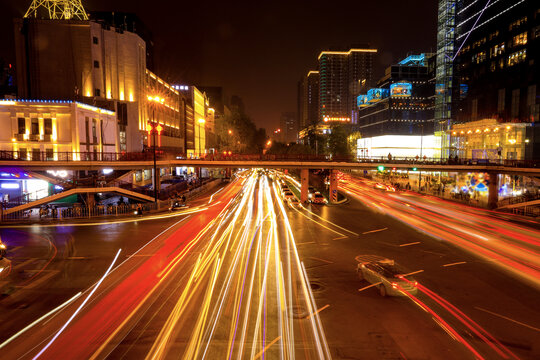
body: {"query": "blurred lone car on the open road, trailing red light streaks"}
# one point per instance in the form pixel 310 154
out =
pixel 389 278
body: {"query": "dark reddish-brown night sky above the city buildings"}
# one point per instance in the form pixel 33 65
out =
pixel 260 49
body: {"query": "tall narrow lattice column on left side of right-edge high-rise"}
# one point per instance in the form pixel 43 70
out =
pixel 444 72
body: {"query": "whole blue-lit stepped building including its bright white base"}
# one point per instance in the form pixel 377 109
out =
pixel 399 110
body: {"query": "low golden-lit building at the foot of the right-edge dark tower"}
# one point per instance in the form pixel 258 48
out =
pixel 492 140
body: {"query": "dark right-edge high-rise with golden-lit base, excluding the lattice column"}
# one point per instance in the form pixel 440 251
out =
pixel 496 76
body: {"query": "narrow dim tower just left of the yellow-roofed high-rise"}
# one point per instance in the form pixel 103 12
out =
pixel 308 100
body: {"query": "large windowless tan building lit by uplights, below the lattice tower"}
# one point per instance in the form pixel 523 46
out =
pixel 91 62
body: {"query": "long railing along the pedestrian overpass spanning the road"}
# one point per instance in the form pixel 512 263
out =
pixel 6 155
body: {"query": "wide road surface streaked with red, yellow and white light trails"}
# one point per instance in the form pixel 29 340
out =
pixel 238 275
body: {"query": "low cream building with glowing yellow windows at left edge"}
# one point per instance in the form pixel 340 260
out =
pixel 56 129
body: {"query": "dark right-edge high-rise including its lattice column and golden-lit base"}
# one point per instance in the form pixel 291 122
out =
pixel 488 70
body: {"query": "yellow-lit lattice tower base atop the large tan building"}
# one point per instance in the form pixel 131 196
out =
pixel 57 9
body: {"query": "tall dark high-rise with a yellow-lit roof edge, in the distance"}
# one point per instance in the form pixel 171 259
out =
pixel 342 76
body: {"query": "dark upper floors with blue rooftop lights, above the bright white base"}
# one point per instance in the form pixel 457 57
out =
pixel 402 103
